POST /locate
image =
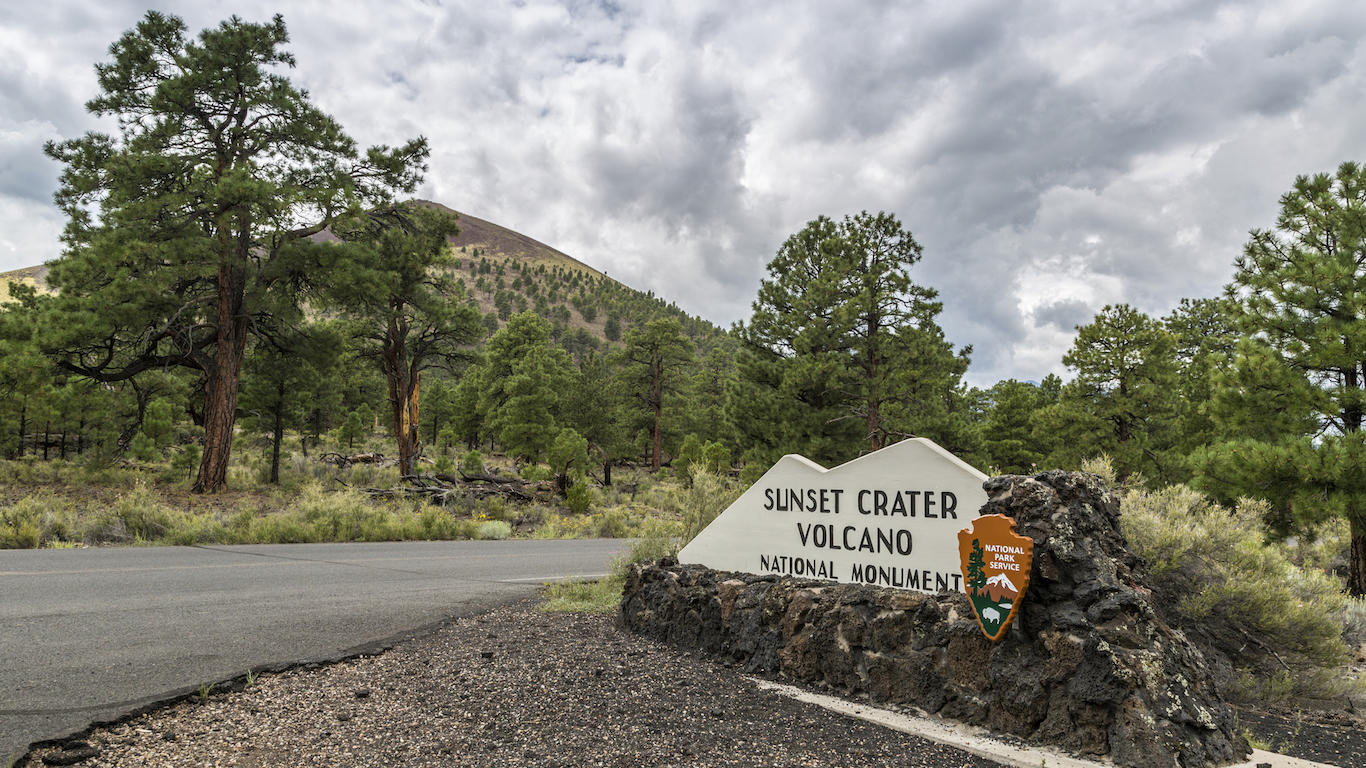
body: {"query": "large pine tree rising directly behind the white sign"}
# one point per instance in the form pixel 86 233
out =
pixel 844 334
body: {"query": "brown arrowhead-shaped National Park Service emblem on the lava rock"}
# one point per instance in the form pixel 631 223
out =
pixel 996 564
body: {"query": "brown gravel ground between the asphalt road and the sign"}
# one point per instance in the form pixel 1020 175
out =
pixel 516 687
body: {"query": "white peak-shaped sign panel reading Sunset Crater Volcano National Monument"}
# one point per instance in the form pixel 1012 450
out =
pixel 890 519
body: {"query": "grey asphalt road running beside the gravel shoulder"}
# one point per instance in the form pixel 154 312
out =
pixel 94 635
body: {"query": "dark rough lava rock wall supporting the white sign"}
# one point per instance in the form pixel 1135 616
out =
pixel 1087 666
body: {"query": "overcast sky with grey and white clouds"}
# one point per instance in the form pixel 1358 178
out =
pixel 1050 156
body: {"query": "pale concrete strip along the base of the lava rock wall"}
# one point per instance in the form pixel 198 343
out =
pixel 980 741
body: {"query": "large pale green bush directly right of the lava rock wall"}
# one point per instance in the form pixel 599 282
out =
pixel 1216 577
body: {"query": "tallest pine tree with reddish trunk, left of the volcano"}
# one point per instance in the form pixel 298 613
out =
pixel 195 222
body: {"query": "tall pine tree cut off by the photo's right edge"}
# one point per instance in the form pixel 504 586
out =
pixel 1294 397
